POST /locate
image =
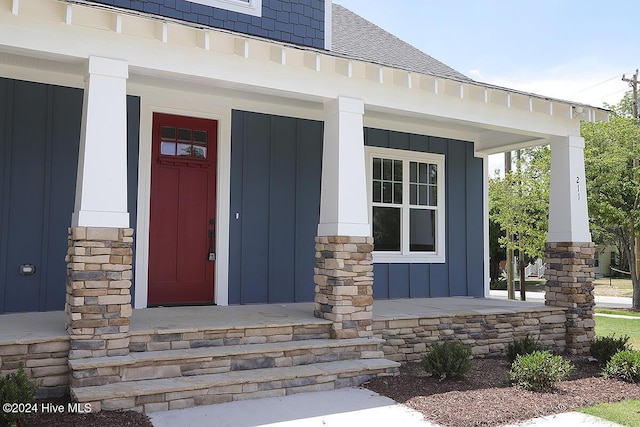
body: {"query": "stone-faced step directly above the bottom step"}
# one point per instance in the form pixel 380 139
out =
pixel 209 360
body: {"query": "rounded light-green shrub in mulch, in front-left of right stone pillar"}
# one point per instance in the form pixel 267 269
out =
pixel 539 370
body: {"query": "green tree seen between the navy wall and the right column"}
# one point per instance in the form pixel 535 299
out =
pixel 519 203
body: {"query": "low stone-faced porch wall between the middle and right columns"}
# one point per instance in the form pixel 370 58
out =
pixel 408 338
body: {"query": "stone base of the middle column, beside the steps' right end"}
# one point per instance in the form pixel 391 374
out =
pixel 344 284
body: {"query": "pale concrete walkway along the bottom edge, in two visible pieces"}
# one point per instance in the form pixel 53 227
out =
pixel 347 407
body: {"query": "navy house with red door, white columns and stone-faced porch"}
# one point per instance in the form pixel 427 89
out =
pixel 234 152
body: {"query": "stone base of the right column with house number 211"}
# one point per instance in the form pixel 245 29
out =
pixel 570 277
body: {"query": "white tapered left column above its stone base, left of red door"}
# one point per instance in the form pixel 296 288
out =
pixel 101 188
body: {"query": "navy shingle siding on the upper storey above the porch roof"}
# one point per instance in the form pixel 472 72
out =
pixel 293 21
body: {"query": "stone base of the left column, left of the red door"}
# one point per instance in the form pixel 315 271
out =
pixel 98 306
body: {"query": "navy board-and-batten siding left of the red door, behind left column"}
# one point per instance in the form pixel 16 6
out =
pixel 39 140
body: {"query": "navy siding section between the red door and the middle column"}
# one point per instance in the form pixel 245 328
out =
pixel 275 207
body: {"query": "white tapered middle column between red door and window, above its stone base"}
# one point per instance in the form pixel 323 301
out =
pixel 343 199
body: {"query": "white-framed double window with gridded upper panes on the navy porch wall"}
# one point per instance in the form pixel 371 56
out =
pixel 406 205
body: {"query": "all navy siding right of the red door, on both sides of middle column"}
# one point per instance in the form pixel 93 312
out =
pixel 275 192
